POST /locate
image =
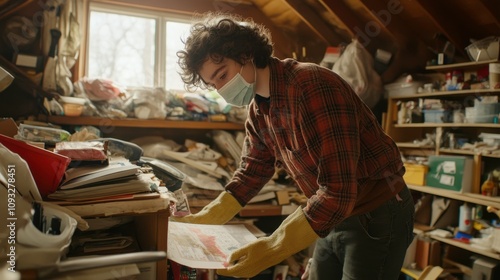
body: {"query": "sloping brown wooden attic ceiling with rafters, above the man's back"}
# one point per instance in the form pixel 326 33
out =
pixel 412 30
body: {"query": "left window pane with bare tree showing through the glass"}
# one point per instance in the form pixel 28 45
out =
pixel 122 48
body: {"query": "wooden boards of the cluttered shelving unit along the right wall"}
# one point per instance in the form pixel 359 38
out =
pixel 405 134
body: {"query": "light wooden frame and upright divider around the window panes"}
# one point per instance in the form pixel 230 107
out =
pixel 161 17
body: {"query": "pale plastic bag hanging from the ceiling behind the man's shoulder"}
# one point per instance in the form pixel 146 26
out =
pixel 355 65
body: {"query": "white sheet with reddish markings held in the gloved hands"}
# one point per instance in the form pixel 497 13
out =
pixel 205 246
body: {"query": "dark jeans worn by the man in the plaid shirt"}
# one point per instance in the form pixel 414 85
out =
pixel 368 246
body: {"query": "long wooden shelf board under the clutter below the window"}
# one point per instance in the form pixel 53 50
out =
pixel 139 123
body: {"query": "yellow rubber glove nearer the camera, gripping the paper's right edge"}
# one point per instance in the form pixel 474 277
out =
pixel 292 236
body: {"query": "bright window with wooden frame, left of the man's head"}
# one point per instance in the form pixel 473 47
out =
pixel 135 48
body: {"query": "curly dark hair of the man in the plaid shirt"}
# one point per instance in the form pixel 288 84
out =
pixel 218 36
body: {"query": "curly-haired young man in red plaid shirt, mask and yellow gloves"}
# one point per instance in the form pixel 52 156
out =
pixel 306 119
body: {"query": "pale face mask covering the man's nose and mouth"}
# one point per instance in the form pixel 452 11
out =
pixel 237 91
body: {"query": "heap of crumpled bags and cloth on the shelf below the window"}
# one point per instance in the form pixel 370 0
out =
pixel 103 98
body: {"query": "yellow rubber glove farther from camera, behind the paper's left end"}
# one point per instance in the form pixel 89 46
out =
pixel 218 212
